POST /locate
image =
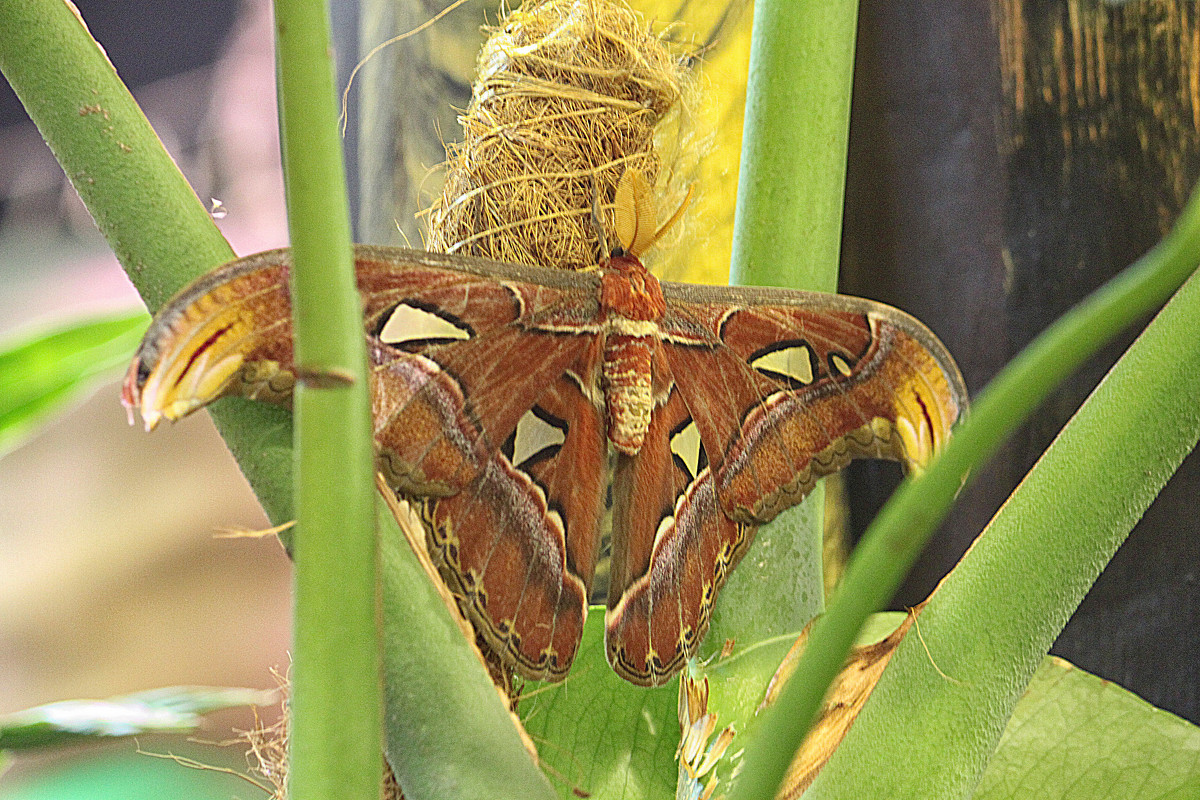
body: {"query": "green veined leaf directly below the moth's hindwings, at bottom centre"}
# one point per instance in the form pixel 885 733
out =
pixel 601 735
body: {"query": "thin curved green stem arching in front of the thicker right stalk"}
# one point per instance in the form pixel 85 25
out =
pixel 909 519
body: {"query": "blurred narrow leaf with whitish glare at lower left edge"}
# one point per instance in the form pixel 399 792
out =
pixel 175 709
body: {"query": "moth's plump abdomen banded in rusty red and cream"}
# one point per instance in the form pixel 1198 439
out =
pixel 628 392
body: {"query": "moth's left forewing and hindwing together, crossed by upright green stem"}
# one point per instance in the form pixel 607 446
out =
pixel 479 412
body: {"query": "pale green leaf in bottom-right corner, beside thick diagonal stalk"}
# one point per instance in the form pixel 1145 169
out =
pixel 1077 736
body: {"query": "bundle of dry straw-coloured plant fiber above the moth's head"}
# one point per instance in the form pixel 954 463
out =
pixel 569 95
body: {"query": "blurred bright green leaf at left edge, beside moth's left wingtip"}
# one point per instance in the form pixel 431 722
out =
pixel 43 375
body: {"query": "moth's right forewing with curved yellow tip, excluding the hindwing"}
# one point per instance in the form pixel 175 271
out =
pixel 815 380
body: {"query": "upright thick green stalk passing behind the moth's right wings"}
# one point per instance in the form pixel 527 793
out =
pixel 788 233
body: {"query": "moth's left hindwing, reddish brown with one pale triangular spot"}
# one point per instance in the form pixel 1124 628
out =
pixel 519 545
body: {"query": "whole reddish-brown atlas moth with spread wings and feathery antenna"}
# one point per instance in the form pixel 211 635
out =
pixel 499 392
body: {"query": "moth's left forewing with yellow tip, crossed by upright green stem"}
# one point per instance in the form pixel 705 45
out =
pixel 445 332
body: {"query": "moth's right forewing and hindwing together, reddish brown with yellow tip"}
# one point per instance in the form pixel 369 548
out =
pixel 772 390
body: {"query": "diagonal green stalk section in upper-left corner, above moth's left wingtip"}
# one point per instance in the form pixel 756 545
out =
pixel 107 149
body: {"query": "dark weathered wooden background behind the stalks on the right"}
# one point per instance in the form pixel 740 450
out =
pixel 1006 160
